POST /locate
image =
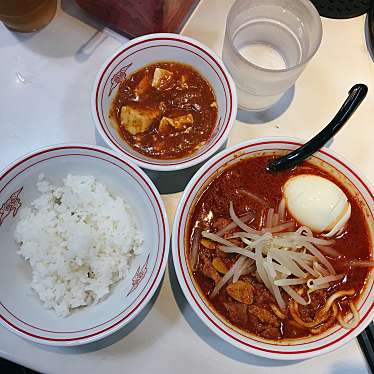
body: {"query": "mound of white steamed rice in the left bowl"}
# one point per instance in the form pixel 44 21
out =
pixel 79 240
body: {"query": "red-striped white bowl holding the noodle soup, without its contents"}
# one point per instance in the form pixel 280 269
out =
pixel 287 349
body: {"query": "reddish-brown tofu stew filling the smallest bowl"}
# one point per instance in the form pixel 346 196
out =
pixel 165 111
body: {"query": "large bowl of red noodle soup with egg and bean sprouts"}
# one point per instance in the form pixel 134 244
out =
pixel 277 264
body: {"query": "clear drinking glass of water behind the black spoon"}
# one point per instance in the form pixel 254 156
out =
pixel 267 45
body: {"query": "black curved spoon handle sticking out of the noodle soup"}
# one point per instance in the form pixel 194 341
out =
pixel 356 94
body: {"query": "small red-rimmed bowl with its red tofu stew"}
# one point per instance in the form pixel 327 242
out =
pixel 164 100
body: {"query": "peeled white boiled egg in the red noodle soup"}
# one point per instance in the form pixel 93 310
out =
pixel 317 203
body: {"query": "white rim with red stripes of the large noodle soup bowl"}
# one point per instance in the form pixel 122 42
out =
pixel 268 350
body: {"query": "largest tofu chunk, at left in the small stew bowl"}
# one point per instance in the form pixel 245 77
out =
pixel 137 120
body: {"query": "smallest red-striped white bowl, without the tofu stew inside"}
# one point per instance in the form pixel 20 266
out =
pixel 155 48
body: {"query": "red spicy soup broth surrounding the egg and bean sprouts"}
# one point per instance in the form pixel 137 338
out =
pixel 254 311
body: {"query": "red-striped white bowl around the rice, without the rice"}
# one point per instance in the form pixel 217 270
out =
pixel 21 310
